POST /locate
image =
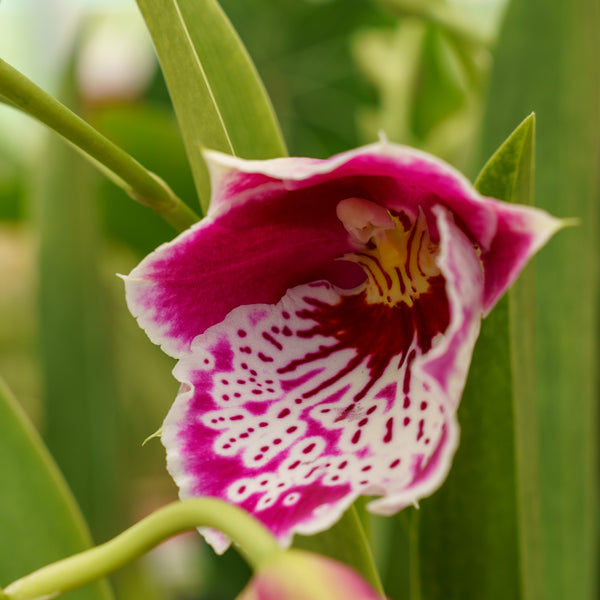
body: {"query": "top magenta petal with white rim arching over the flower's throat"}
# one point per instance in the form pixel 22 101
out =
pixel 397 177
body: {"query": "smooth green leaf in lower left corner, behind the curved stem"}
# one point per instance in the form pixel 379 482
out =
pixel 39 520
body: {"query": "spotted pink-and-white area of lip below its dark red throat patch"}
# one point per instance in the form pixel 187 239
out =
pixel 305 429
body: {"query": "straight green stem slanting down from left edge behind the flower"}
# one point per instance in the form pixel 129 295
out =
pixel 142 185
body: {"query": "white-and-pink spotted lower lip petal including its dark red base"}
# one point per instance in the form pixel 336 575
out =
pixel 293 410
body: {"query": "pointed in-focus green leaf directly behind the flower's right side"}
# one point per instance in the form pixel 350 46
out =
pixel 479 532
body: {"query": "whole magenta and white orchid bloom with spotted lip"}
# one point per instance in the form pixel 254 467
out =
pixel 324 315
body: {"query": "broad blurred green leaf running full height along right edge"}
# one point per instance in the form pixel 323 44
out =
pixel 547 61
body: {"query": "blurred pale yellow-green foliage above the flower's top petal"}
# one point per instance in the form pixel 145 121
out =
pixel 430 72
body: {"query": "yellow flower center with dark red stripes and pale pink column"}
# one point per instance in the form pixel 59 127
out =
pixel 399 258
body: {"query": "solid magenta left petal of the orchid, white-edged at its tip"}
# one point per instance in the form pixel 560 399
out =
pixel 252 253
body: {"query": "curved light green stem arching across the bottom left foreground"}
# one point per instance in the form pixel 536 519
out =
pixel 255 542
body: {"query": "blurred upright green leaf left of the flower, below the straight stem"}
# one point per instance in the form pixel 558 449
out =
pixel 78 390
